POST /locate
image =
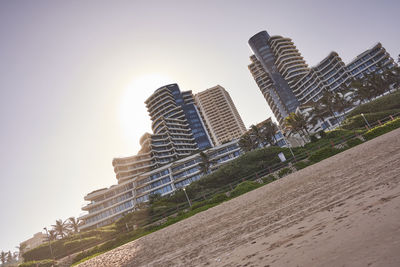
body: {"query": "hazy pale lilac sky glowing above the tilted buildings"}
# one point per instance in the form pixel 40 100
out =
pixel 74 76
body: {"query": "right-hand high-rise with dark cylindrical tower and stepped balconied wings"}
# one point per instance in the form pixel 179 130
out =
pixel 286 81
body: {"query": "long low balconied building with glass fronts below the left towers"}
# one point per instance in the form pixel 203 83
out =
pixel 109 204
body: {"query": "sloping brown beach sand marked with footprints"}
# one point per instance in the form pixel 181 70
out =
pixel 343 211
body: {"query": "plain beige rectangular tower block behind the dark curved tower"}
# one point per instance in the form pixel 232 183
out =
pixel 220 115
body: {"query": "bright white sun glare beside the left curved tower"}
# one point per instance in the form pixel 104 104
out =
pixel 132 113
